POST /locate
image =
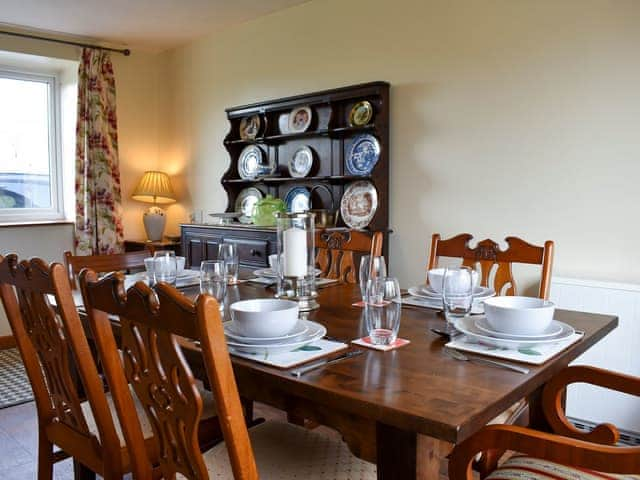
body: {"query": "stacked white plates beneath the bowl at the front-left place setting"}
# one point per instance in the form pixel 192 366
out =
pixel 303 333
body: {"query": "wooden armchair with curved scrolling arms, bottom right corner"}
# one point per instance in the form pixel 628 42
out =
pixel 565 452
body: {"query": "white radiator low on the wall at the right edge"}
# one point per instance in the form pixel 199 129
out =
pixel 618 351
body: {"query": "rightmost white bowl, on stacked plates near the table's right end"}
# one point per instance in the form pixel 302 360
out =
pixel 519 315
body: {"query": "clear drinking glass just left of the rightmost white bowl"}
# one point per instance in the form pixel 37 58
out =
pixel 457 294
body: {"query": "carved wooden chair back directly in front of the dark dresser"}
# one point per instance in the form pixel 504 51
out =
pixel 339 252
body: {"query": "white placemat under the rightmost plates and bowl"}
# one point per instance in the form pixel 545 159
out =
pixel 535 354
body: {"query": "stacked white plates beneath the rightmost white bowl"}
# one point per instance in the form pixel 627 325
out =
pixel 479 329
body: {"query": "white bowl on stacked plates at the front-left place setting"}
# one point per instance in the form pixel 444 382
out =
pixel 264 317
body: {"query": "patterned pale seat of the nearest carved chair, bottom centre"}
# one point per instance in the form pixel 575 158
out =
pixel 285 451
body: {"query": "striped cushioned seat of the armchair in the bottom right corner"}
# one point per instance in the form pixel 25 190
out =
pixel 522 467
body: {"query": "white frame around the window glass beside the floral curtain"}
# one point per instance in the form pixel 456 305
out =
pixel 56 183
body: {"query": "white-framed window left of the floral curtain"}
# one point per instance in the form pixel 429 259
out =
pixel 30 160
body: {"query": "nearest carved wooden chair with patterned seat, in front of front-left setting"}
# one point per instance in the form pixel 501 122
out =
pixel 154 326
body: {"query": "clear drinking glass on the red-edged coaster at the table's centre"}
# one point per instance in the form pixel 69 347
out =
pixel 383 310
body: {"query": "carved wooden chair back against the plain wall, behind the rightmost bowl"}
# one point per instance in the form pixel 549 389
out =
pixel 487 256
